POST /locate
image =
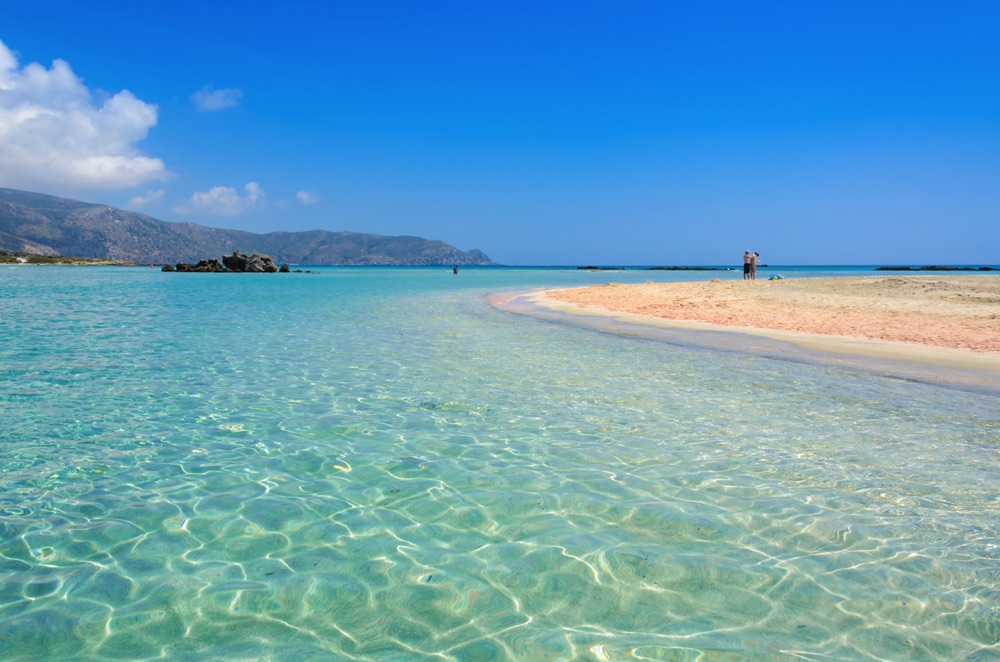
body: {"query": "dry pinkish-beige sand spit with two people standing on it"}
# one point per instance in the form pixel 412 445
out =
pixel 960 313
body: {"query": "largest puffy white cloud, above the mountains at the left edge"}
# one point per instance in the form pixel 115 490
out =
pixel 52 135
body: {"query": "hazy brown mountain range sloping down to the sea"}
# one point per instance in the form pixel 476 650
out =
pixel 49 225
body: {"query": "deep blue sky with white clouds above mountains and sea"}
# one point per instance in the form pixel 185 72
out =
pixel 627 132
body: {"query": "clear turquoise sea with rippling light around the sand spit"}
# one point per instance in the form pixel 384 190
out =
pixel 380 464
